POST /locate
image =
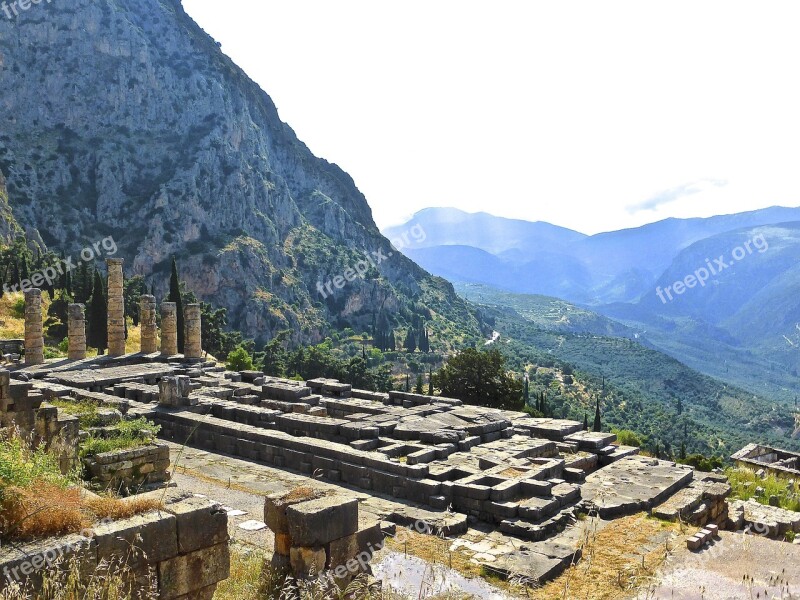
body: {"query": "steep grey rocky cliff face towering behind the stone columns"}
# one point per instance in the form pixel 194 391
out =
pixel 123 118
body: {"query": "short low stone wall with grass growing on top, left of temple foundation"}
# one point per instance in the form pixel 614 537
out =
pixel 128 469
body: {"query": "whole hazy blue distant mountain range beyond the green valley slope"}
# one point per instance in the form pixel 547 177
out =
pixel 740 323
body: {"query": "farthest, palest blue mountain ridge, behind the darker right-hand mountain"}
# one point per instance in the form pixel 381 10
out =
pixel 539 258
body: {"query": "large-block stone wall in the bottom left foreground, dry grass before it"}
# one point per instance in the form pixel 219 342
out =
pixel 182 549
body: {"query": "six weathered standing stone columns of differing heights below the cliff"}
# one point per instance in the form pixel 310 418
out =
pixel 34 335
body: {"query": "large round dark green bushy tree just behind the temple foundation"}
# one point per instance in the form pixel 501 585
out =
pixel 480 377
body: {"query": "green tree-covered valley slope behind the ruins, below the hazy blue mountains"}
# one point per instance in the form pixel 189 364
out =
pixel 641 390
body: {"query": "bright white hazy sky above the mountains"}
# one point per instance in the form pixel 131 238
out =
pixel 591 115
